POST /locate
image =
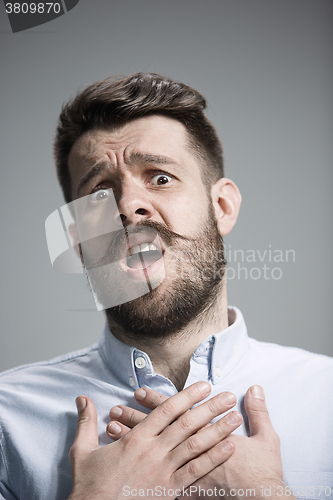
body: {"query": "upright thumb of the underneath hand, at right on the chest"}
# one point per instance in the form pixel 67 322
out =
pixel 255 406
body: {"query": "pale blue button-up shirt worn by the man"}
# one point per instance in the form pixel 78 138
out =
pixel 38 415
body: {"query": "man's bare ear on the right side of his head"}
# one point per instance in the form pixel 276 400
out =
pixel 226 200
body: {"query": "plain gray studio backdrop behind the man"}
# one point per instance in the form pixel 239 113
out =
pixel 266 69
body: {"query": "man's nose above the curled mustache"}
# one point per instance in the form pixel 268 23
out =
pixel 134 205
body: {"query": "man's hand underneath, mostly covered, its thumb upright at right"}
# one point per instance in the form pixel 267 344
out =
pixel 255 468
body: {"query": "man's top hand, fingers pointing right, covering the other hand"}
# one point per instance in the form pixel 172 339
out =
pixel 163 451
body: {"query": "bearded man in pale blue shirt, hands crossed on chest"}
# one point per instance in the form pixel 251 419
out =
pixel 145 142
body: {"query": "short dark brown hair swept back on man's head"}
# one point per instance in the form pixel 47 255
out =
pixel 113 102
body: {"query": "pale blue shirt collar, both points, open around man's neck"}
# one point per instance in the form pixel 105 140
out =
pixel 220 351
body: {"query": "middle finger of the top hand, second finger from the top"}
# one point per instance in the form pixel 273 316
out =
pixel 198 417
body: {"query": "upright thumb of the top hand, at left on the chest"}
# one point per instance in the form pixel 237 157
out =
pixel 86 432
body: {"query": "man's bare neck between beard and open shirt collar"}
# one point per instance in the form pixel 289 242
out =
pixel 171 356
